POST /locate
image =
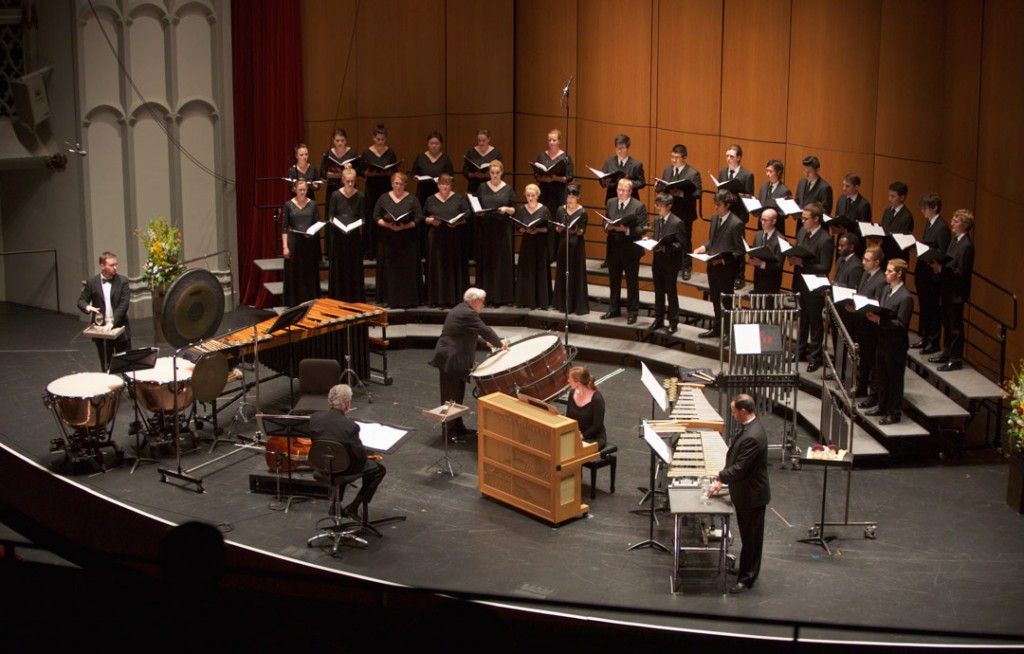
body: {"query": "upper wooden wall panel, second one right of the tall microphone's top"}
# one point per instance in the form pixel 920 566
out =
pixel 690 67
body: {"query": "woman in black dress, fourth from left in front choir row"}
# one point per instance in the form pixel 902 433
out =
pixel 448 275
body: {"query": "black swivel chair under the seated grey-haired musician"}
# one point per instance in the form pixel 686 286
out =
pixel 335 464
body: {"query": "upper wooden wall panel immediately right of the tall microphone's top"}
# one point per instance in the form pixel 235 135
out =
pixel 616 62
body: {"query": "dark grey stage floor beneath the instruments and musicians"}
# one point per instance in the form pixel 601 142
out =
pixel 949 553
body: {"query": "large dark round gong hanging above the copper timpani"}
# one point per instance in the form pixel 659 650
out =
pixel 194 308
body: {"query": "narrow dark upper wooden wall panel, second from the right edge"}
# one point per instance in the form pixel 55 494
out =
pixel 961 103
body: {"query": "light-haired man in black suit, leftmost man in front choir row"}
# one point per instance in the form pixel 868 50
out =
pixel 622 252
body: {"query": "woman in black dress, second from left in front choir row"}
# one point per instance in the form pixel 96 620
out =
pixel 346 281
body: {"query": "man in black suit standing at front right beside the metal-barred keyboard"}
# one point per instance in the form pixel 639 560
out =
pixel 747 473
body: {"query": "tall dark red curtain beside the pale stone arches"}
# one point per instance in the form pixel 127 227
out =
pixel 269 122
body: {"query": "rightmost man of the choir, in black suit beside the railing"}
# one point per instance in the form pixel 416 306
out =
pixel 956 283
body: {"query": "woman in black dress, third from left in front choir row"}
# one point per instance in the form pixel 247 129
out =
pixel 399 279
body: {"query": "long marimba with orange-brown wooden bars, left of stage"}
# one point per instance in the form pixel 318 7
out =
pixel 323 333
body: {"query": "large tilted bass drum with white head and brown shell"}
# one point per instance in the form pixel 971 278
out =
pixel 537 367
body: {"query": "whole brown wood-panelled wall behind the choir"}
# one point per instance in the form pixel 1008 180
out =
pixel 929 93
